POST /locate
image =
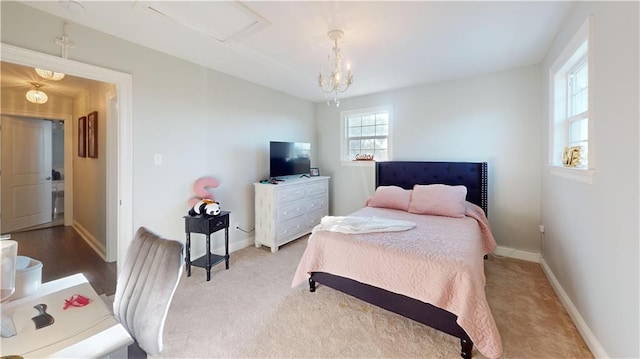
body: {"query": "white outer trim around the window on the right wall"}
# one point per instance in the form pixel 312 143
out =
pixel 584 175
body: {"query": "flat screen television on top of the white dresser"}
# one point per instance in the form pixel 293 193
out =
pixel 289 159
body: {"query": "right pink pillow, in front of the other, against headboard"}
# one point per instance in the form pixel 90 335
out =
pixel 439 200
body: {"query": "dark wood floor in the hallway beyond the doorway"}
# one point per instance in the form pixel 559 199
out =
pixel 63 252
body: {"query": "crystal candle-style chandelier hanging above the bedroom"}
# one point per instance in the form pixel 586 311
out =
pixel 335 83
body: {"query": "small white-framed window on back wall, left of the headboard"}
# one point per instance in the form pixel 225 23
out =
pixel 366 133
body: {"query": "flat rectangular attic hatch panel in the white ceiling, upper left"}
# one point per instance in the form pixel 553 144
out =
pixel 219 20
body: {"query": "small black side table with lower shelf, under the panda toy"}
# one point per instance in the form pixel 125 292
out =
pixel 206 225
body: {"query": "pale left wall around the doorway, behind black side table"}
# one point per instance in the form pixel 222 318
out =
pixel 202 122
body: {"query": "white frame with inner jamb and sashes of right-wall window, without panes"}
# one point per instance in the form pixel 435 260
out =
pixel 577 52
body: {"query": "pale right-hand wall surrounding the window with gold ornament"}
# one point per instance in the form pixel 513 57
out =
pixel 591 239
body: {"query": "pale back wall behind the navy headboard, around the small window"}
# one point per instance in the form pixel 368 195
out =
pixel 493 118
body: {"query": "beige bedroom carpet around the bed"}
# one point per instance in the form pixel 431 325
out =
pixel 251 310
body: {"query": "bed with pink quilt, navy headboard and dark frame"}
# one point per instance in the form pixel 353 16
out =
pixel 323 261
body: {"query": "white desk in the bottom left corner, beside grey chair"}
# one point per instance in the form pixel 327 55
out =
pixel 78 332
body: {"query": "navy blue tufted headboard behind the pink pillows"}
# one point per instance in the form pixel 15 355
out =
pixel 406 174
